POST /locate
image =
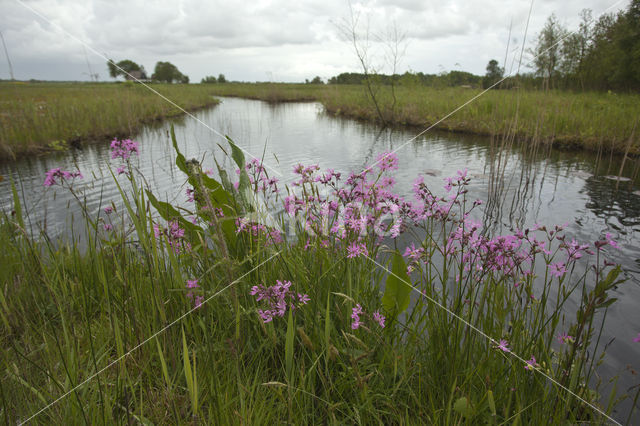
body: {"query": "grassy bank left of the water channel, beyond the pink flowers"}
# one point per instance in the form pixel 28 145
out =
pixel 38 117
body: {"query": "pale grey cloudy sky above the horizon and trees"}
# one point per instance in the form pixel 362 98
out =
pixel 267 40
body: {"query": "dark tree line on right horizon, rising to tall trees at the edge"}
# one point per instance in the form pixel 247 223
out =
pixel 602 54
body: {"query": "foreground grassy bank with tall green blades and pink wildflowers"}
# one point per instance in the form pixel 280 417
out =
pixel 210 314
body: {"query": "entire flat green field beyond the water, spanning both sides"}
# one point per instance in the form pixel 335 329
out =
pixel 39 117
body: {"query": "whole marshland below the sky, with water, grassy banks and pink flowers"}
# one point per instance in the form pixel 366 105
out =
pixel 386 251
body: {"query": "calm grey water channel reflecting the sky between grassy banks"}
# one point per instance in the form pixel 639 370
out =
pixel 522 188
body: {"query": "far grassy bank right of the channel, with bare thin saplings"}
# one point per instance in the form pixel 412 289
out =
pixel 592 121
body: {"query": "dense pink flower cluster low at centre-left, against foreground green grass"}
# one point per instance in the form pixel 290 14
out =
pixel 278 297
